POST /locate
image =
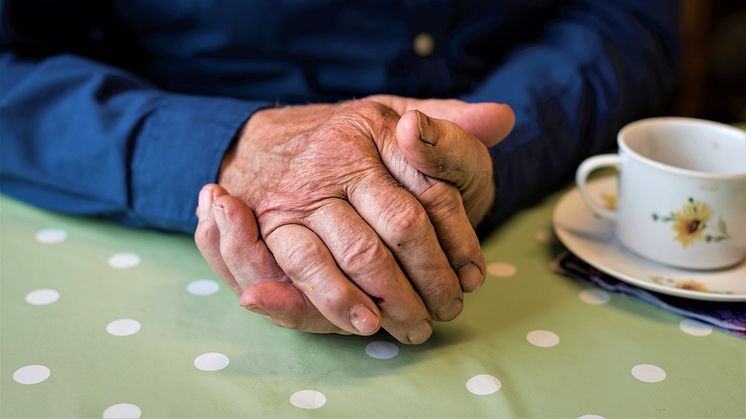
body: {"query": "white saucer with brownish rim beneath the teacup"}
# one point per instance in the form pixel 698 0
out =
pixel 593 239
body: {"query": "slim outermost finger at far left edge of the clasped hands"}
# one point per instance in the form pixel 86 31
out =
pixel 207 236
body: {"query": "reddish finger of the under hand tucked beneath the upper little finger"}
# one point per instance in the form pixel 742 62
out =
pixel 287 307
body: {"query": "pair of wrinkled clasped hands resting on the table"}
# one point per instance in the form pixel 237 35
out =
pixel 350 217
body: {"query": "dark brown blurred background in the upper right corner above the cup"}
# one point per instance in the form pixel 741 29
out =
pixel 713 60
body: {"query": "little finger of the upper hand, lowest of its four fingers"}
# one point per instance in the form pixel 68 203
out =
pixel 306 260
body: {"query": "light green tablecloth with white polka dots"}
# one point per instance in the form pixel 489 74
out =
pixel 528 344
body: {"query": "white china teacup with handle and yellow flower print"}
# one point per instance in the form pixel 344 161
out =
pixel 682 191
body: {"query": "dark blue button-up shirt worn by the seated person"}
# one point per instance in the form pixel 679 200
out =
pixel 124 108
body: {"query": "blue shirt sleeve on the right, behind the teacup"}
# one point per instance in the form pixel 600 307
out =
pixel 599 65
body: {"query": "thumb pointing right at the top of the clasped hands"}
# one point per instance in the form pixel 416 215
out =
pixel 489 122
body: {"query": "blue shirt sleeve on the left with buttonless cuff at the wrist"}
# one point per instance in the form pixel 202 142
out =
pixel 85 138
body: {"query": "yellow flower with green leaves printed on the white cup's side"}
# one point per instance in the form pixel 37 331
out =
pixel 690 224
